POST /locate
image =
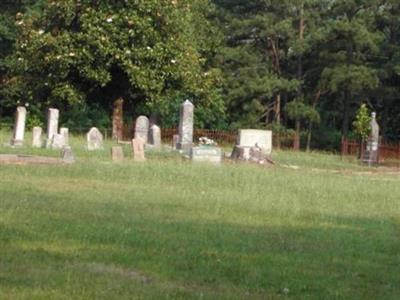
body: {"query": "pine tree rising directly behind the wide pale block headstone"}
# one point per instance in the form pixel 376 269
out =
pixel 254 59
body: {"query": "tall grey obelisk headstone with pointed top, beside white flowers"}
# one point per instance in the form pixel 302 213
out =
pixel 186 126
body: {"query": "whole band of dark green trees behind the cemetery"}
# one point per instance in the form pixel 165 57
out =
pixel 301 67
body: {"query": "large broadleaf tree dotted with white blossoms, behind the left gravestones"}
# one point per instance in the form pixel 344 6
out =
pixel 80 54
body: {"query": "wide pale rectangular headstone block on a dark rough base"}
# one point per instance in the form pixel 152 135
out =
pixel 254 137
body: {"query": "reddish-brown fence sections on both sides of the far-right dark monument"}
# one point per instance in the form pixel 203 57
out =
pixel 387 151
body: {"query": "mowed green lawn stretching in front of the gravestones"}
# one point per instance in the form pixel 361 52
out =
pixel 170 229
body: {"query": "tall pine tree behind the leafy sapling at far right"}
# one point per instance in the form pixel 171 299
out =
pixel 351 40
